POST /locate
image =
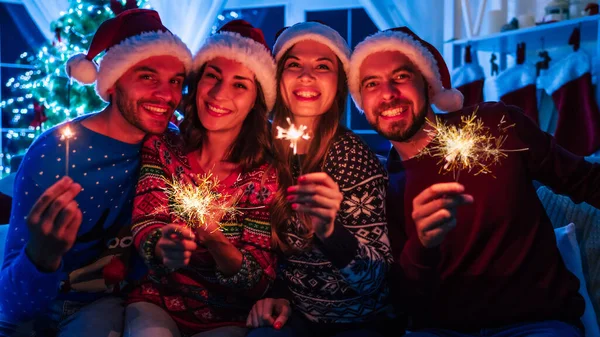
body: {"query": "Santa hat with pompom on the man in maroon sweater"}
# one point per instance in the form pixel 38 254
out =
pixel 423 55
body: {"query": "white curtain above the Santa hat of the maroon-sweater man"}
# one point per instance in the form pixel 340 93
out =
pixel 424 17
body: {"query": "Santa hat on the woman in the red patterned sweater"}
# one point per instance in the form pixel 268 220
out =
pixel 238 40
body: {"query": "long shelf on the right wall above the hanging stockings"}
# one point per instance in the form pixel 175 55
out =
pixel 554 34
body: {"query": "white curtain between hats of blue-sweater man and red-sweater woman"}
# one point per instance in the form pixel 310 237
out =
pixel 191 20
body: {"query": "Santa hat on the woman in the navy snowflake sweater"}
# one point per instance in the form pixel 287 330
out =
pixel 313 31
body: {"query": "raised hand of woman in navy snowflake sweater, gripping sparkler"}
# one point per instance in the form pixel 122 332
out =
pixel 318 196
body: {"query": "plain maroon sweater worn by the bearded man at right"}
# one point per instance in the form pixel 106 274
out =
pixel 500 265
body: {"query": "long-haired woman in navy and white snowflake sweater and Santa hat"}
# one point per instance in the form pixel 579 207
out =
pixel 335 250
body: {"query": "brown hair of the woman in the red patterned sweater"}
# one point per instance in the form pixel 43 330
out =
pixel 251 147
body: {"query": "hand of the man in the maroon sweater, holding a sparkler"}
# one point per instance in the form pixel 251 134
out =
pixel 434 211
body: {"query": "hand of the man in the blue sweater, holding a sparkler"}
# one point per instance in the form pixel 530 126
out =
pixel 53 223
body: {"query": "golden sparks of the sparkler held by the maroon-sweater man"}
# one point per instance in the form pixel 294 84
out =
pixel 469 146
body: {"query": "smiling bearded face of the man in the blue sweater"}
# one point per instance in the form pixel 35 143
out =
pixel 148 93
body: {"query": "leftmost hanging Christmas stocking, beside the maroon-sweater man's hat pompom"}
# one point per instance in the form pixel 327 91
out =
pixel 468 79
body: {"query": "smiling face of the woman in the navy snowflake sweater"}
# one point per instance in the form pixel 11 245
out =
pixel 309 79
